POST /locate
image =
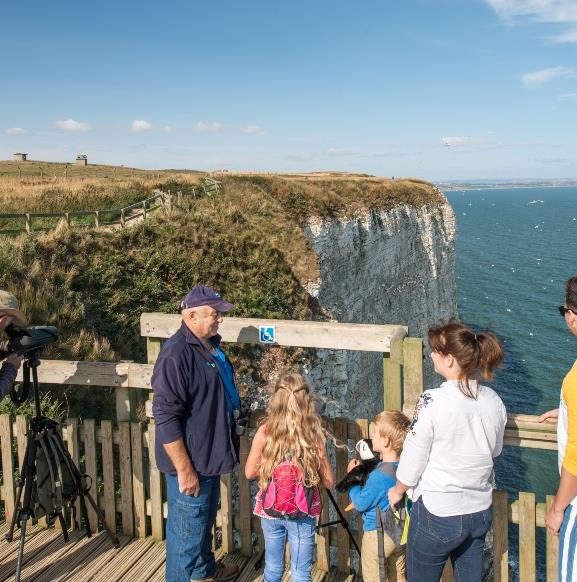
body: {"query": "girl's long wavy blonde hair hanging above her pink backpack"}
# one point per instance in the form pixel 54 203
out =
pixel 294 431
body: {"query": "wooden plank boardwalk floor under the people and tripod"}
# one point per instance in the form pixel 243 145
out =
pixel 48 559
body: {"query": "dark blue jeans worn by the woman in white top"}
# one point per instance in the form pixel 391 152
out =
pixel 433 540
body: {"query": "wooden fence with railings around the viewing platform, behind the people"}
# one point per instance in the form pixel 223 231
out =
pixel 120 457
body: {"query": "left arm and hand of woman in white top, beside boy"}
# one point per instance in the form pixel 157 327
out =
pixel 416 449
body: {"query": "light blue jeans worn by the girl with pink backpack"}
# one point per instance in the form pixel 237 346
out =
pixel 301 536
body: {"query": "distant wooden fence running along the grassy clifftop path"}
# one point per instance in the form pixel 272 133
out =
pixel 120 217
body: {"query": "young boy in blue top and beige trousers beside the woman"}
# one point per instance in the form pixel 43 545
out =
pixel 391 427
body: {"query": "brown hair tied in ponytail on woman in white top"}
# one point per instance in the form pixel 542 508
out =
pixel 478 354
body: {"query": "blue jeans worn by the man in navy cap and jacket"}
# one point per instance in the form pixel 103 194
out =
pixel 189 530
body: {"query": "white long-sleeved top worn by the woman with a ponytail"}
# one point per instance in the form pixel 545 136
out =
pixel 448 453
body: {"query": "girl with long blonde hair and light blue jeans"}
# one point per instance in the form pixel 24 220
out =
pixel 291 436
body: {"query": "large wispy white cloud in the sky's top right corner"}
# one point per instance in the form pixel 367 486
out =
pixel 557 12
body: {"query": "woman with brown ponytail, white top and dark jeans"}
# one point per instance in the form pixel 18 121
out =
pixel 447 458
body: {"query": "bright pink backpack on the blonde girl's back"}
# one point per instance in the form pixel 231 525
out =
pixel 286 496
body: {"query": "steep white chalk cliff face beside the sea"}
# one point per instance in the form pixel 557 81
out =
pixel 381 267
